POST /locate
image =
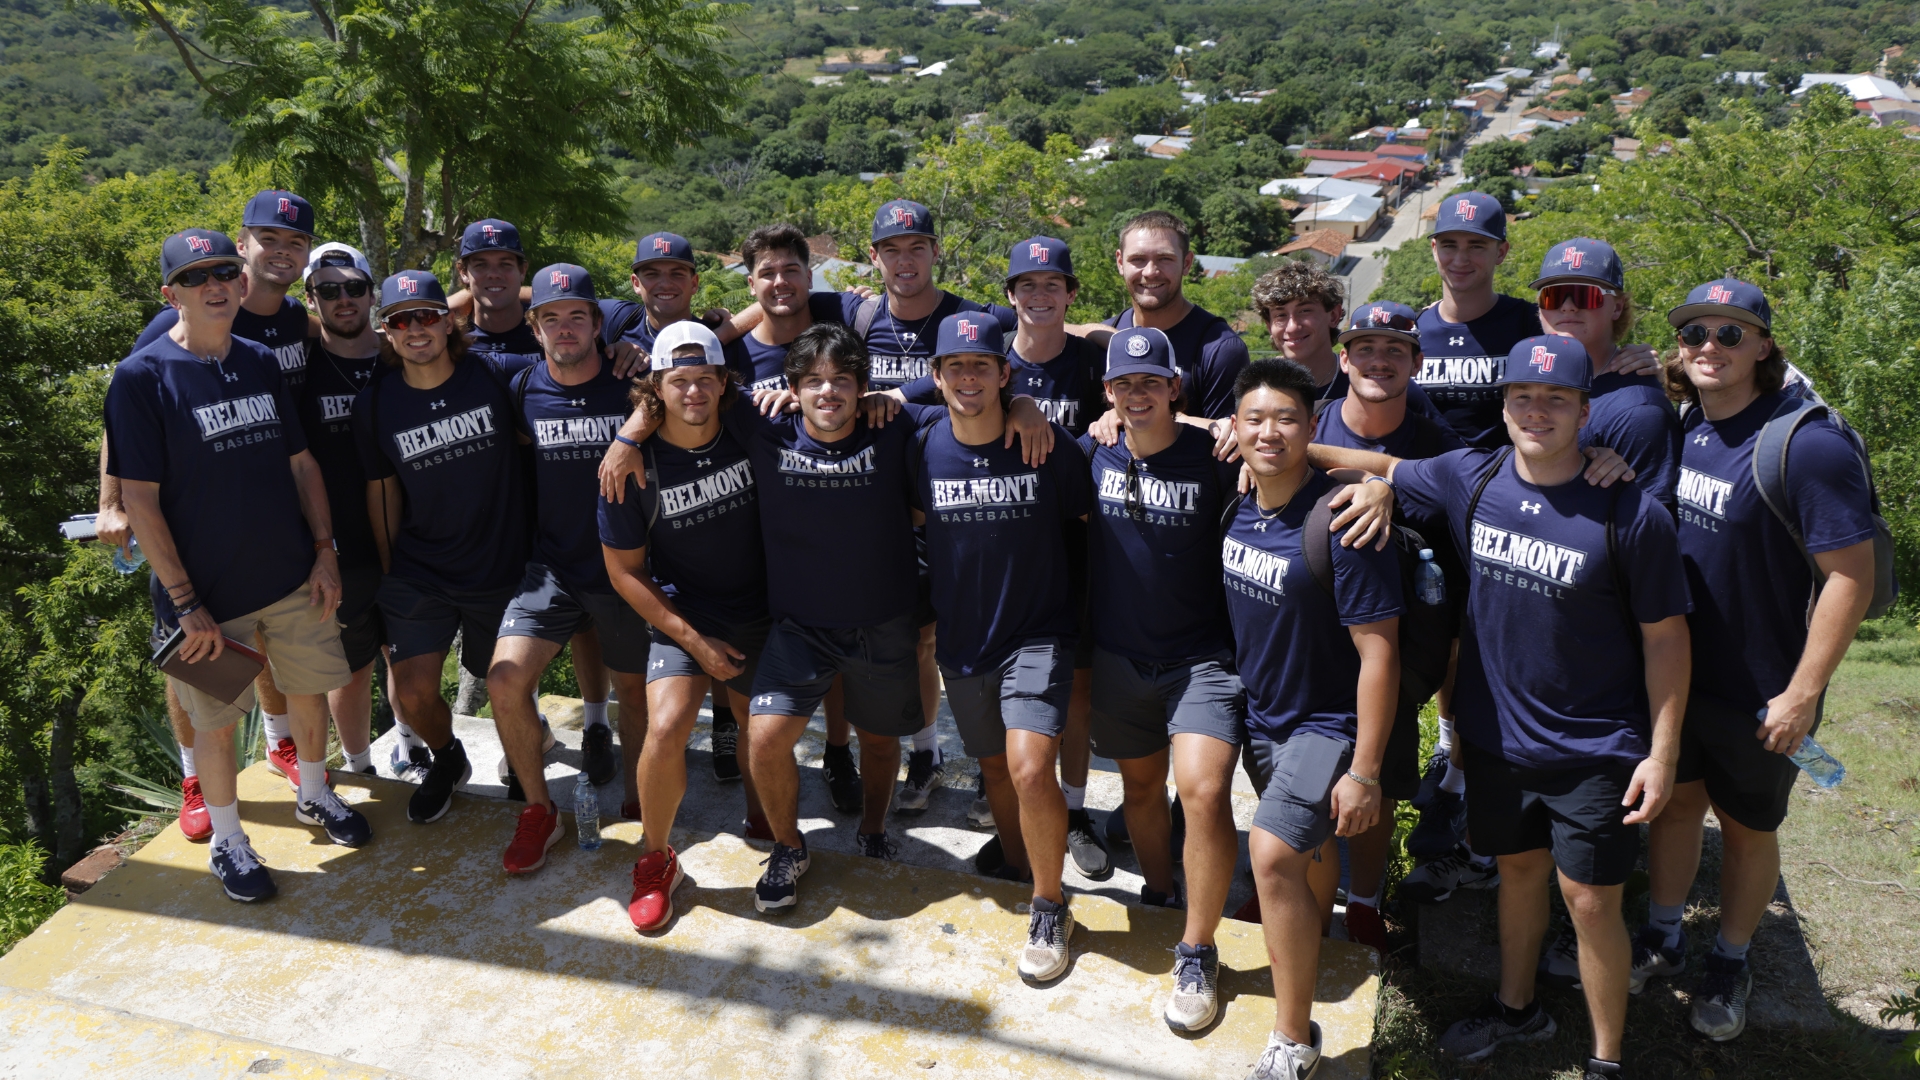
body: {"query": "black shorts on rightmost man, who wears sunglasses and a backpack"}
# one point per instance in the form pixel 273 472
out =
pixel 1746 781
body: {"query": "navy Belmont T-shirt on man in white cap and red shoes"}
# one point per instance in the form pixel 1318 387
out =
pixel 706 545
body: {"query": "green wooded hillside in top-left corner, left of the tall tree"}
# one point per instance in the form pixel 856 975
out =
pixel 78 72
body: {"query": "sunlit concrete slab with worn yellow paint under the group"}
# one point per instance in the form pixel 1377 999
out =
pixel 421 958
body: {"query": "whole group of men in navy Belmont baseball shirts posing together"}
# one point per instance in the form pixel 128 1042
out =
pixel 1124 539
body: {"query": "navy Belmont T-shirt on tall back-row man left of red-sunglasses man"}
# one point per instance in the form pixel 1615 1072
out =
pixel 1464 362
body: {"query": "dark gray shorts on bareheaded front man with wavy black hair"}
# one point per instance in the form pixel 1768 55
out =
pixel 878 668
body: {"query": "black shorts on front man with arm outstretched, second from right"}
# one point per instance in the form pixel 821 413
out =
pixel 1573 812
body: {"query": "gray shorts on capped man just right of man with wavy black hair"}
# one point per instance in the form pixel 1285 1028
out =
pixel 1030 693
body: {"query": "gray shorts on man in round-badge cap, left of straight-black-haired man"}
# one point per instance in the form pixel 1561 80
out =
pixel 1138 708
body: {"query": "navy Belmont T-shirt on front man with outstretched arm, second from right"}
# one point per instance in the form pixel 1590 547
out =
pixel 1550 672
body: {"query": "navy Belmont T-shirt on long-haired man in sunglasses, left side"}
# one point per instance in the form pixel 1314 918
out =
pixel 466 526
